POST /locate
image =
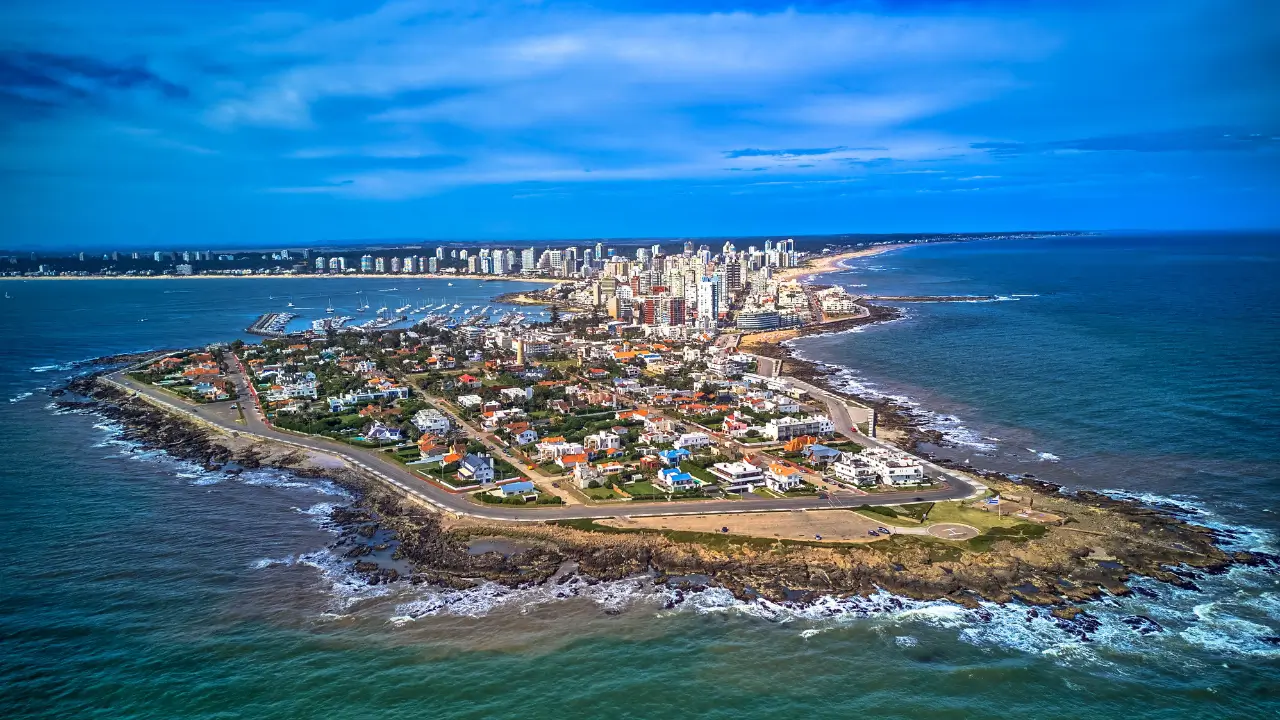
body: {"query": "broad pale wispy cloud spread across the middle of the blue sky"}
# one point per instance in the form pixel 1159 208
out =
pixel 627 95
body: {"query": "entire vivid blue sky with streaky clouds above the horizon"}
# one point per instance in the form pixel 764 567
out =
pixel 289 122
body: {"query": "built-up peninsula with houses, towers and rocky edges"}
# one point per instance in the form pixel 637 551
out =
pixel 661 430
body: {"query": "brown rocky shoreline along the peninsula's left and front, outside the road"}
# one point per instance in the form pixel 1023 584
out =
pixel 1104 544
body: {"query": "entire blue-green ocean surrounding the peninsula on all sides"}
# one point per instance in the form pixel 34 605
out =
pixel 138 586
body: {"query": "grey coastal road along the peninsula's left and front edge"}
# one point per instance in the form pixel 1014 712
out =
pixel 225 417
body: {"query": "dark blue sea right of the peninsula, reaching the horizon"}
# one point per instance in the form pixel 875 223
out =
pixel 1145 363
